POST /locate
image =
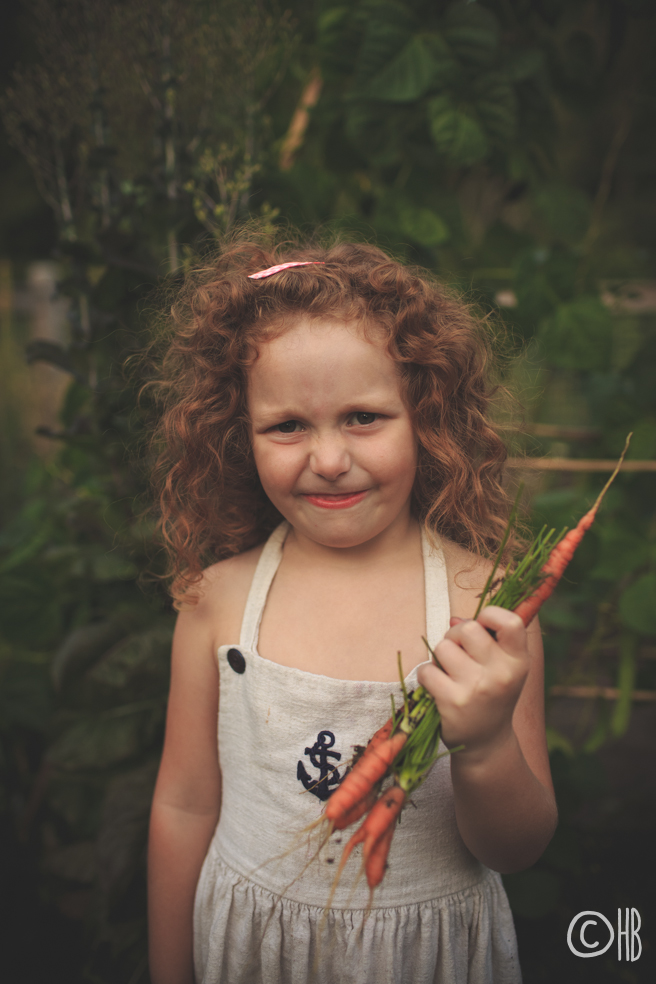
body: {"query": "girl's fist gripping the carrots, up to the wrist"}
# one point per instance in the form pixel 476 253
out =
pixel 481 679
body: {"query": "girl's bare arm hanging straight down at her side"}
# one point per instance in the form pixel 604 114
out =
pixel 187 799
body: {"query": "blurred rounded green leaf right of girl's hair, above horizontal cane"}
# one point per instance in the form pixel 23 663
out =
pixel 579 335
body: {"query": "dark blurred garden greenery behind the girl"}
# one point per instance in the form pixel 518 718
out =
pixel 509 145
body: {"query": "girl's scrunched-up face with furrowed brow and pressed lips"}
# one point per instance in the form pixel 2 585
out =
pixel 332 438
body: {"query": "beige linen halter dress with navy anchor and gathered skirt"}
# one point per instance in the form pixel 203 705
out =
pixel 439 916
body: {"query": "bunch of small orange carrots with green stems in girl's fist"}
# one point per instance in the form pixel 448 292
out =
pixel 406 747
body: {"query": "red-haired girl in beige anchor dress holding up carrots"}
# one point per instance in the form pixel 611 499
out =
pixel 327 446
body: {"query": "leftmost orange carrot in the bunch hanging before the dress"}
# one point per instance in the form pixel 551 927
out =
pixel 367 772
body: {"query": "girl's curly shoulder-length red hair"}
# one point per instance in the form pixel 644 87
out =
pixel 211 502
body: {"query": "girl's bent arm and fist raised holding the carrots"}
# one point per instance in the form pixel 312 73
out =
pixel 491 698
